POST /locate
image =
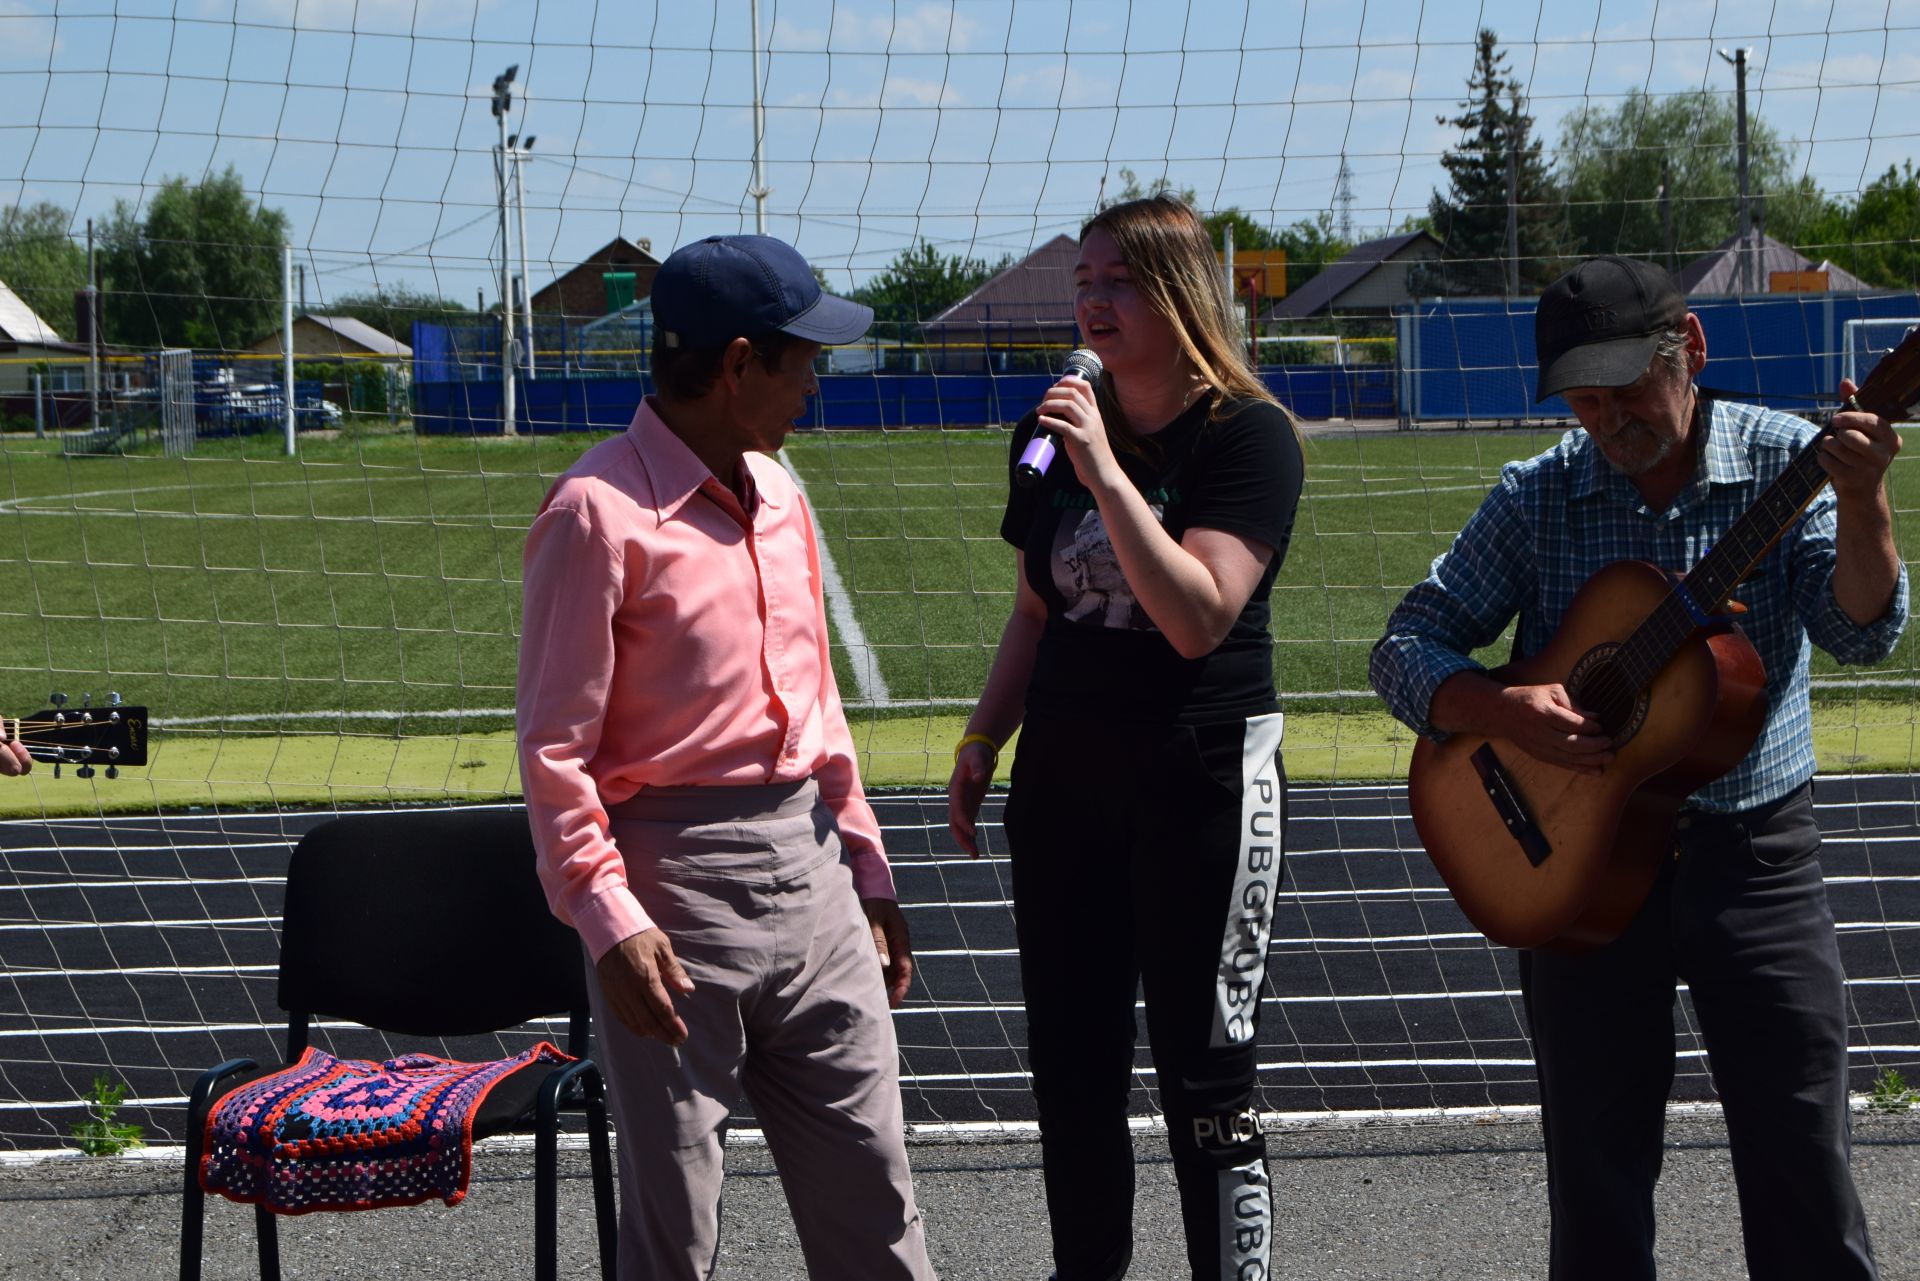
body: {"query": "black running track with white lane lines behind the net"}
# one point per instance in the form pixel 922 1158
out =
pixel 145 950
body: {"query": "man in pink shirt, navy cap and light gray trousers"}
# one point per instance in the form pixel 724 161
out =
pixel 694 796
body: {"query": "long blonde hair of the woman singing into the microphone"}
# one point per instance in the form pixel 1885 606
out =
pixel 1172 262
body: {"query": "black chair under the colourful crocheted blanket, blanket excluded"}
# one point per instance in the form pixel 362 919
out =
pixel 429 925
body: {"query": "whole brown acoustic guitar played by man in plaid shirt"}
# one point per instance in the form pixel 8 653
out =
pixel 1547 858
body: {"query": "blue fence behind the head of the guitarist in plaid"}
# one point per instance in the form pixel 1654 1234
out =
pixel 1474 358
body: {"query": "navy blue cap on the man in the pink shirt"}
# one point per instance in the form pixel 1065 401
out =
pixel 744 287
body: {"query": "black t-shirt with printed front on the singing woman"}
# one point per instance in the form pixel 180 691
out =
pixel 1101 654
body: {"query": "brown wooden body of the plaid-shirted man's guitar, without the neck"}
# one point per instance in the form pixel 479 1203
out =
pixel 1606 836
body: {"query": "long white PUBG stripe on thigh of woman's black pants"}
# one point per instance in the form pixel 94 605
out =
pixel 1243 950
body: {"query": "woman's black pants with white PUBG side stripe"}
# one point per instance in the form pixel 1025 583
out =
pixel 1149 858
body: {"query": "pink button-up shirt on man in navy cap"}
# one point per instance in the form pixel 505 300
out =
pixel 671 639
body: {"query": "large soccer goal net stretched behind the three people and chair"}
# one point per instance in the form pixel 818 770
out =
pixel 304 308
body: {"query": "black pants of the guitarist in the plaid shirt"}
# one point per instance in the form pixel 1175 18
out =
pixel 1742 917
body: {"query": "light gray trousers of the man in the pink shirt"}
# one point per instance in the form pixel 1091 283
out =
pixel 788 1009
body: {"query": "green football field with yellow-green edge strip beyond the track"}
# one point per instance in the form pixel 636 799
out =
pixel 345 623
